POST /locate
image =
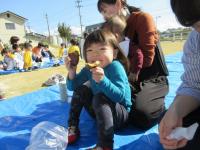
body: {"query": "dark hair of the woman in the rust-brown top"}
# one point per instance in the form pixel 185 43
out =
pixel 112 2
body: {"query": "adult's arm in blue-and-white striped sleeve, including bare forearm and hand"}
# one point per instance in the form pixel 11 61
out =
pixel 188 95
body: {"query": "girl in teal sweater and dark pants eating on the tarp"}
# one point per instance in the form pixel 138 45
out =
pixel 108 99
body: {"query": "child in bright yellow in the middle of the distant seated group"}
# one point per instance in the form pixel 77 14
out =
pixel 27 56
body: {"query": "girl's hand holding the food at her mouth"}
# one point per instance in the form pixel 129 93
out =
pixel 97 74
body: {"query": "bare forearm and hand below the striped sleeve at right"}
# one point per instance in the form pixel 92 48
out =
pixel 173 118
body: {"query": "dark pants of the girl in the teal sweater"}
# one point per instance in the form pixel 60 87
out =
pixel 109 115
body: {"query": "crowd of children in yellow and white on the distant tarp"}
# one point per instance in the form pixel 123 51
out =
pixel 25 57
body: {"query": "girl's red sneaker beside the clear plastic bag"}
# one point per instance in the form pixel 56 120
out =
pixel 73 134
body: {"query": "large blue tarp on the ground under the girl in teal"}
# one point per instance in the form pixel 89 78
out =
pixel 20 114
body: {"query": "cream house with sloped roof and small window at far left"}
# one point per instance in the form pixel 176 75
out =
pixel 12 24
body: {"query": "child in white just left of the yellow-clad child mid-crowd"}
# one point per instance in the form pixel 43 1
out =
pixel 18 56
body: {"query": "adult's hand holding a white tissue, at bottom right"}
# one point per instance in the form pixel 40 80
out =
pixel 170 121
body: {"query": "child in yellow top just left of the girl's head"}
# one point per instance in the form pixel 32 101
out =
pixel 74 52
